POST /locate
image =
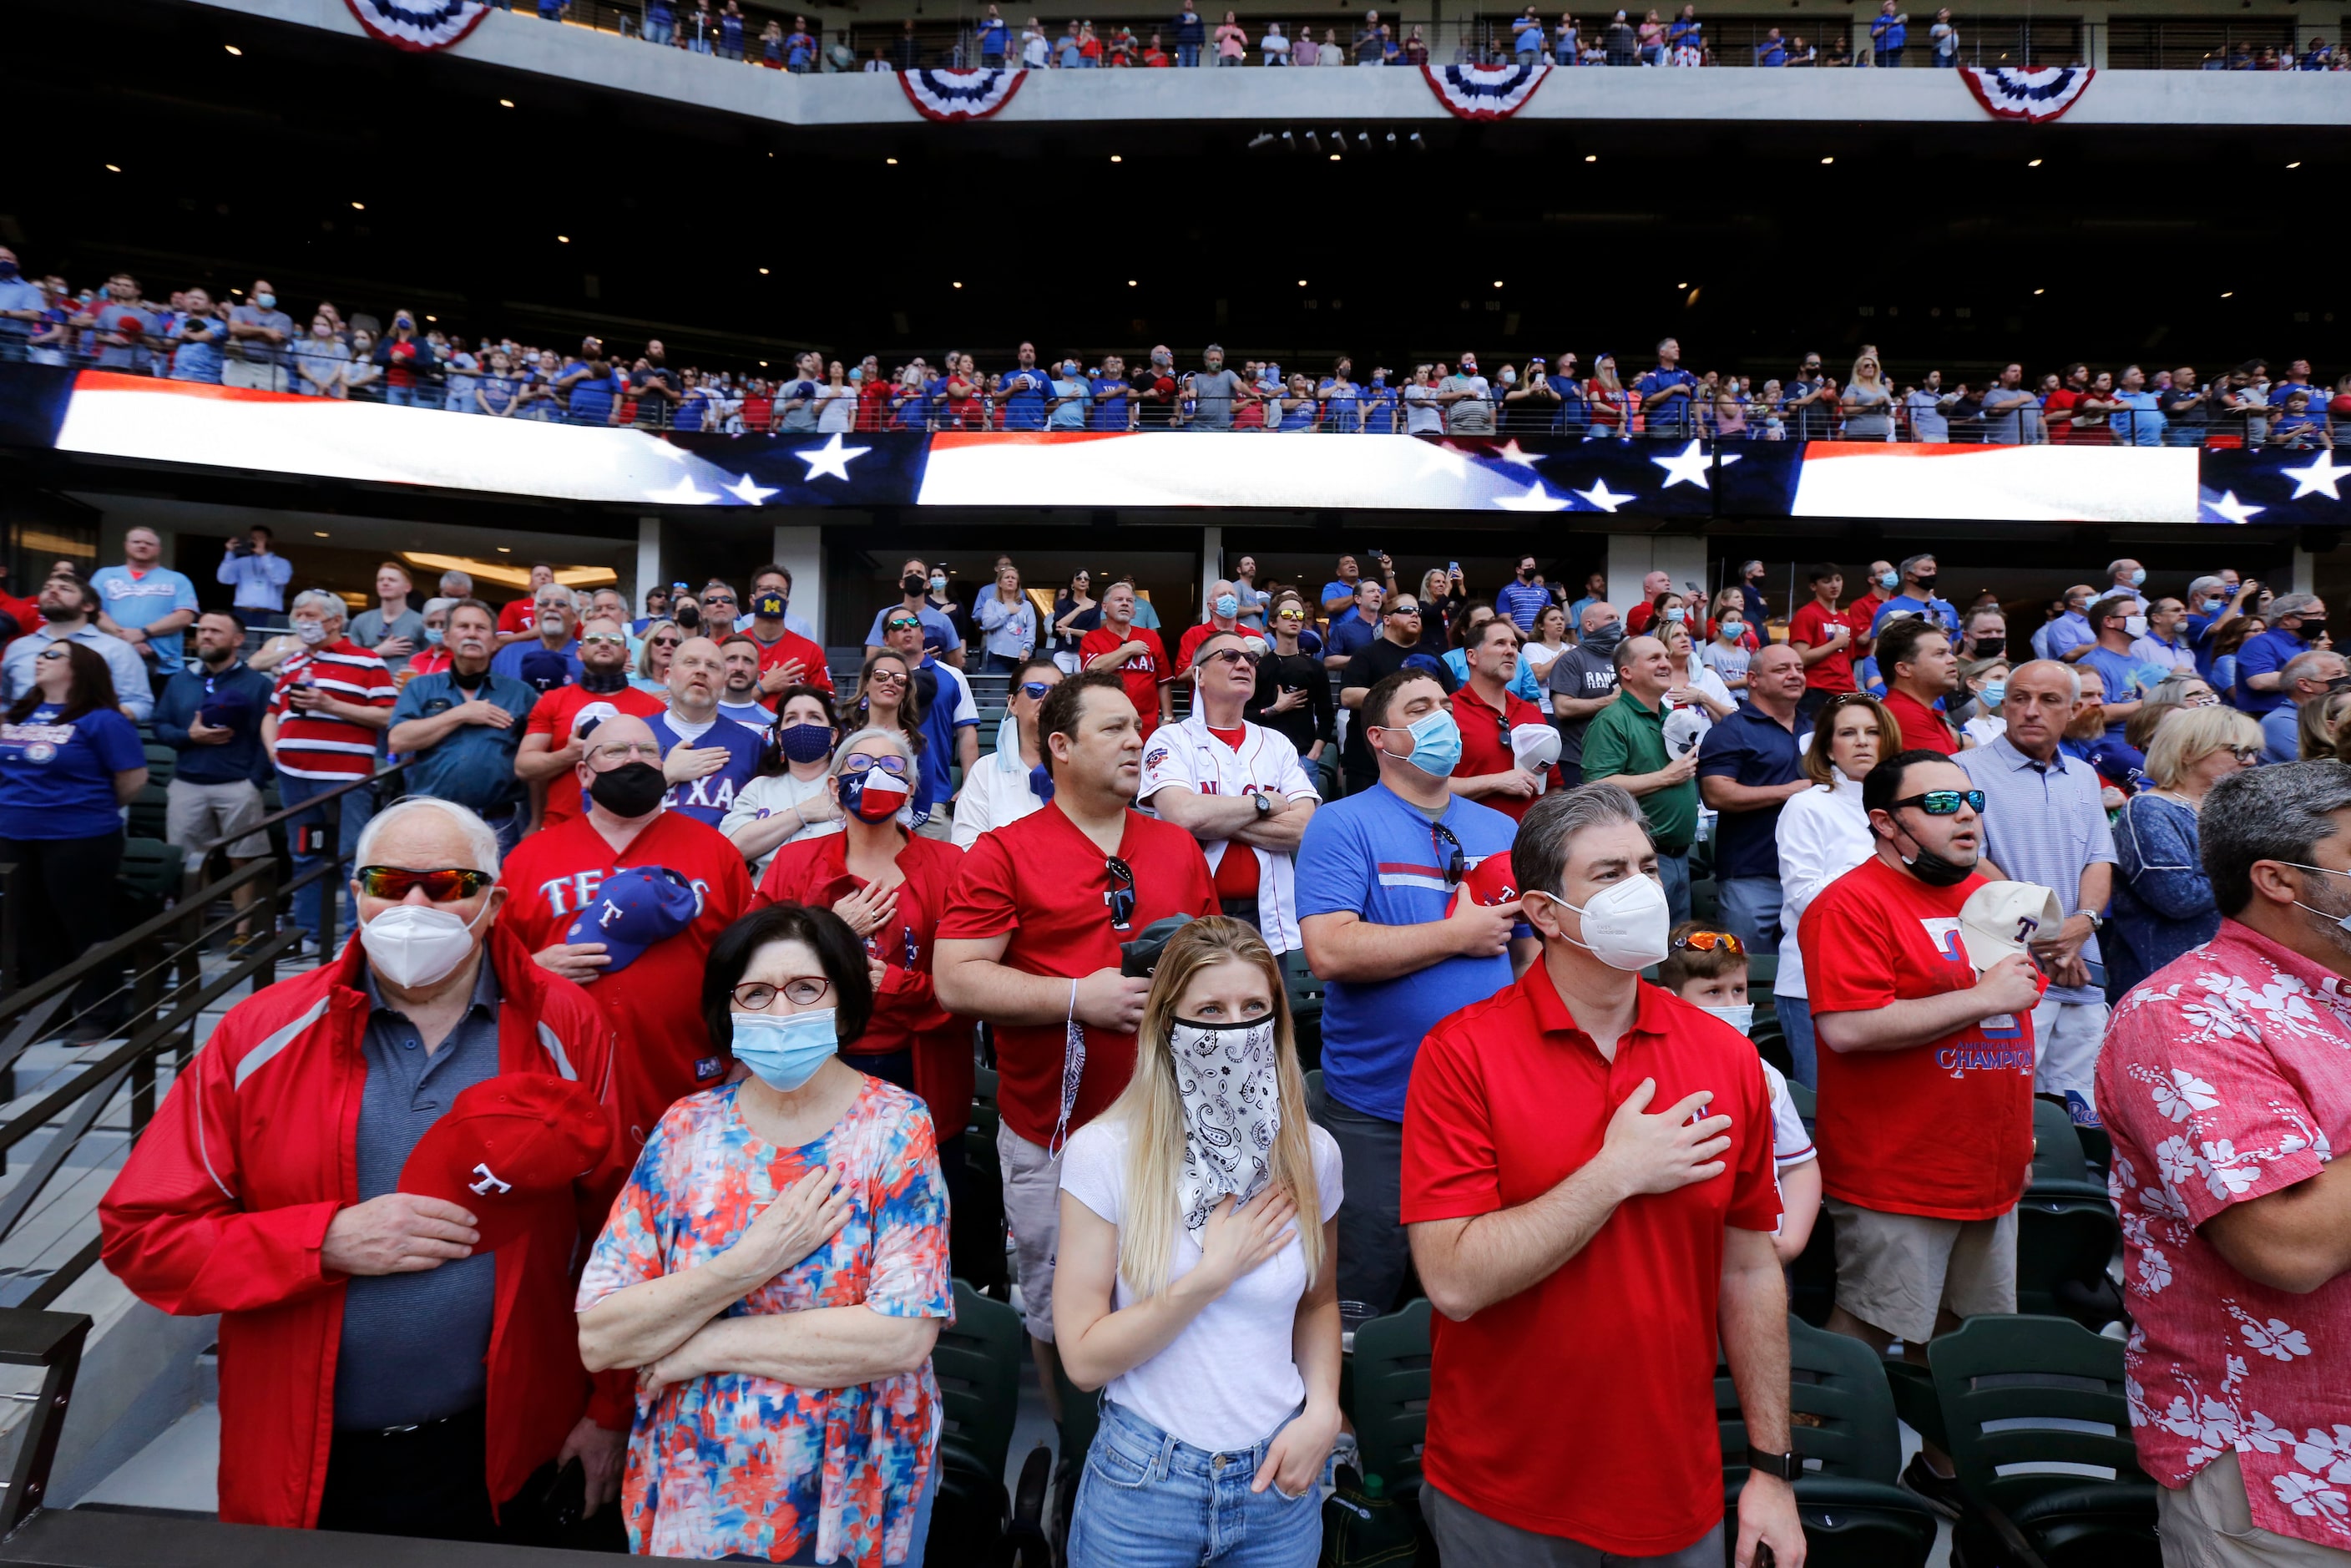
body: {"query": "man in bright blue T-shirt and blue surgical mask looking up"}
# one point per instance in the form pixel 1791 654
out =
pixel 1400 946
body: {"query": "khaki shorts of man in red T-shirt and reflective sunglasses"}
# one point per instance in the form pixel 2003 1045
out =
pixel 1894 1271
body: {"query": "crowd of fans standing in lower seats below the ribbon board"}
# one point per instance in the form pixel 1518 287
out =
pixel 1475 817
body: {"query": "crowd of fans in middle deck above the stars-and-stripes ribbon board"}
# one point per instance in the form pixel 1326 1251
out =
pixel 415 363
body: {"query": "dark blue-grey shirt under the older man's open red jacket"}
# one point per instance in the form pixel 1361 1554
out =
pixel 415 1346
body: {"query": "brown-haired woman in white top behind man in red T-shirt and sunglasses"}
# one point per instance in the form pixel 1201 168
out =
pixel 1823 836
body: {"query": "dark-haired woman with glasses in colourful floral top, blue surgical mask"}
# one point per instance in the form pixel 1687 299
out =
pixel 777 1273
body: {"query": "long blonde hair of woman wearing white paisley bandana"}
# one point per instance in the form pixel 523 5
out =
pixel 1153 1108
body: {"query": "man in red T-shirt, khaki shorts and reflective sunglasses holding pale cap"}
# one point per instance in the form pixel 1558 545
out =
pixel 1927 1076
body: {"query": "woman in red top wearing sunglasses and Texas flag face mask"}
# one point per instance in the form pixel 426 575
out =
pixel 890 887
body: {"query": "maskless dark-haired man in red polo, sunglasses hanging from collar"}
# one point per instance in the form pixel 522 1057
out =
pixel 1031 944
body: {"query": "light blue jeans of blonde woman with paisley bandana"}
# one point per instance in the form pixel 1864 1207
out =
pixel 1151 1501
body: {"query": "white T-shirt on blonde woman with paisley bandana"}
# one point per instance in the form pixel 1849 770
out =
pixel 1228 1379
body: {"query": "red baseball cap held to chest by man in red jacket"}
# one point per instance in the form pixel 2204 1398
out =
pixel 507 1146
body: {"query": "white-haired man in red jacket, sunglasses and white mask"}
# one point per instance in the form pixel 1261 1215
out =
pixel 377 1369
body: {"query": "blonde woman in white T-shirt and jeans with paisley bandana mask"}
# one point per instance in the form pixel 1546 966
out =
pixel 1195 1275
